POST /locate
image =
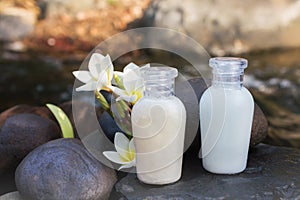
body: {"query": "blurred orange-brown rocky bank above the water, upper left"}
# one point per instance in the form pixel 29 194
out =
pixel 64 25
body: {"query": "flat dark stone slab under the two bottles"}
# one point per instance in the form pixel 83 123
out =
pixel 272 173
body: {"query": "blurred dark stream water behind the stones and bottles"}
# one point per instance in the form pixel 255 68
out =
pixel 273 77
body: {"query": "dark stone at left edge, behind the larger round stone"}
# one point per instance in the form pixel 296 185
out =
pixel 20 134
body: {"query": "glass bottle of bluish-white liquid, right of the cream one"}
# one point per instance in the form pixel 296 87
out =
pixel 226 114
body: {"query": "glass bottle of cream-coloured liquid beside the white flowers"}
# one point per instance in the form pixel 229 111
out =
pixel 158 126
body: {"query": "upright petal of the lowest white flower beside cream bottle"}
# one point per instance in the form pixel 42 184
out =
pixel 121 145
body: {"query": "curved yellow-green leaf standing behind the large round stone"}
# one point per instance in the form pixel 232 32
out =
pixel 63 120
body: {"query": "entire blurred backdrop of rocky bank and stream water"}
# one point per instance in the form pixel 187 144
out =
pixel 43 41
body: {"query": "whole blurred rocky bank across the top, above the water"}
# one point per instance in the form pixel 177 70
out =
pixel 230 27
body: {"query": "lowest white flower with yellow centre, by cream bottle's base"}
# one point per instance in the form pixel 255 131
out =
pixel 125 151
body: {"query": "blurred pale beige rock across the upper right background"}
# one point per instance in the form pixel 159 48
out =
pixel 229 27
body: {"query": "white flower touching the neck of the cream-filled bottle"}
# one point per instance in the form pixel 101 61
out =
pixel 132 82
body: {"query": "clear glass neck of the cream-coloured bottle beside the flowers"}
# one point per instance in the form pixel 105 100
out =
pixel 159 81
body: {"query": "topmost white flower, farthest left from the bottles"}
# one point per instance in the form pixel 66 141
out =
pixel 99 75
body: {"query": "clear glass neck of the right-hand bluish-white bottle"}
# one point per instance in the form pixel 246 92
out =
pixel 228 72
